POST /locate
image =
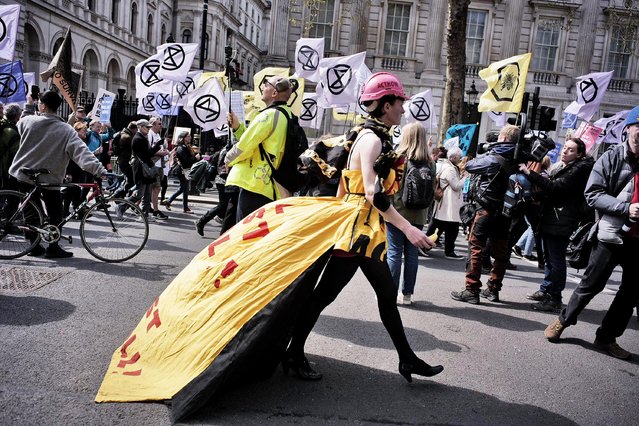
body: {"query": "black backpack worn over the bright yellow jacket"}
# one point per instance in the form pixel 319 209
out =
pixel 296 143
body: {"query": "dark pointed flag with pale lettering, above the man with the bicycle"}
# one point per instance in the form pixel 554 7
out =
pixel 64 78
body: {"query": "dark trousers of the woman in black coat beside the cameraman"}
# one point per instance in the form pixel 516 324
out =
pixel 555 265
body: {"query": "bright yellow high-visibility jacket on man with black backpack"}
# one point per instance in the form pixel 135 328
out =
pixel 248 169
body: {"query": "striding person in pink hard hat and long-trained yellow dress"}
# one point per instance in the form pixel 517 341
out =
pixel 228 316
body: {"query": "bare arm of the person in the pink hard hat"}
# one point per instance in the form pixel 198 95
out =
pixel 368 149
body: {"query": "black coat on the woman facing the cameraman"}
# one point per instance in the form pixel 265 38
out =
pixel 565 205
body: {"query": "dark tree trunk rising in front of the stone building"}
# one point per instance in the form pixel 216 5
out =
pixel 453 100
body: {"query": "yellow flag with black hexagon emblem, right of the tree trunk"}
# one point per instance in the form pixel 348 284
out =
pixel 506 84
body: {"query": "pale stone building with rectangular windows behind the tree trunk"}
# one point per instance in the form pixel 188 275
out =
pixel 568 38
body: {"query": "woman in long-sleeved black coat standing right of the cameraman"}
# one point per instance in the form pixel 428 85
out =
pixel 563 209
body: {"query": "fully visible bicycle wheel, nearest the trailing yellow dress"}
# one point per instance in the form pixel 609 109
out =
pixel 116 237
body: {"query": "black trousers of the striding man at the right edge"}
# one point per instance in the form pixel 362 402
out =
pixel 603 260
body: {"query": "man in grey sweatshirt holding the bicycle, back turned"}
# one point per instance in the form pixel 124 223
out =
pixel 47 142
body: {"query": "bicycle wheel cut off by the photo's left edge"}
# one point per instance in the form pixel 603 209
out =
pixel 15 238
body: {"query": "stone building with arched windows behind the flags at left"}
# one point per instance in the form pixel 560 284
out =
pixel 111 37
